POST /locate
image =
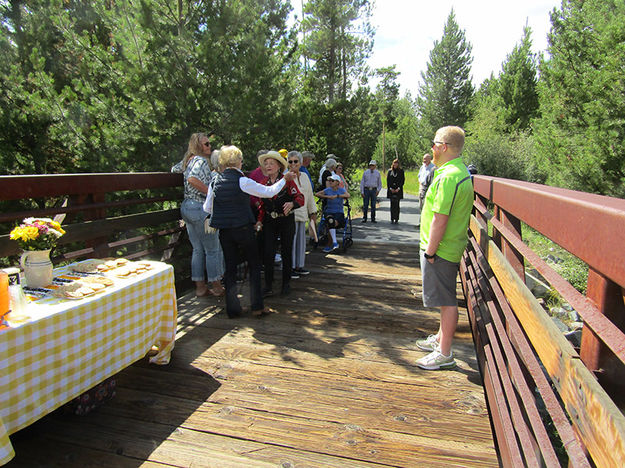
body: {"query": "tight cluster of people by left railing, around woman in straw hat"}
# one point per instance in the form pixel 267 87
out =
pixel 233 218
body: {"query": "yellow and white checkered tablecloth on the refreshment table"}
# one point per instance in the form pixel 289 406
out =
pixel 70 346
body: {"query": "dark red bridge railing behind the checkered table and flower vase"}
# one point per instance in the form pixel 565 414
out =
pixel 134 215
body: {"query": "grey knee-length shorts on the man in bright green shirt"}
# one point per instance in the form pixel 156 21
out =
pixel 439 282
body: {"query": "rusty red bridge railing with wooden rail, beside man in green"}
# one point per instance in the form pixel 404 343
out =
pixel 521 352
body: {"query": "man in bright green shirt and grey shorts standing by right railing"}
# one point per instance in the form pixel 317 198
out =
pixel 444 223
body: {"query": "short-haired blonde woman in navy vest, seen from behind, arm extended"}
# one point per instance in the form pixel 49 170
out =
pixel 228 203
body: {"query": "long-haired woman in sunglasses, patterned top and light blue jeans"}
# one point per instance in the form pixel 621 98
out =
pixel 207 259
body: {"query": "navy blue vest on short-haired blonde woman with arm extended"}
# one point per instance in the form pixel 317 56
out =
pixel 231 205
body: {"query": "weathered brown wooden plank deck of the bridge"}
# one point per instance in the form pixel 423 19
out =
pixel 328 380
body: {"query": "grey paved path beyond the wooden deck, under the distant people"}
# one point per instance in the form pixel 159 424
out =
pixel 405 232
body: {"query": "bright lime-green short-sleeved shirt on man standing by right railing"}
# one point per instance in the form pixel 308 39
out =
pixel 451 194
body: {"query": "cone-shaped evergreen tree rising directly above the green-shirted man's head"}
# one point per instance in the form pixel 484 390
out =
pixel 446 90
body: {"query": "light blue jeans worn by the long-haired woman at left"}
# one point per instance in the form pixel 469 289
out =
pixel 207 260
